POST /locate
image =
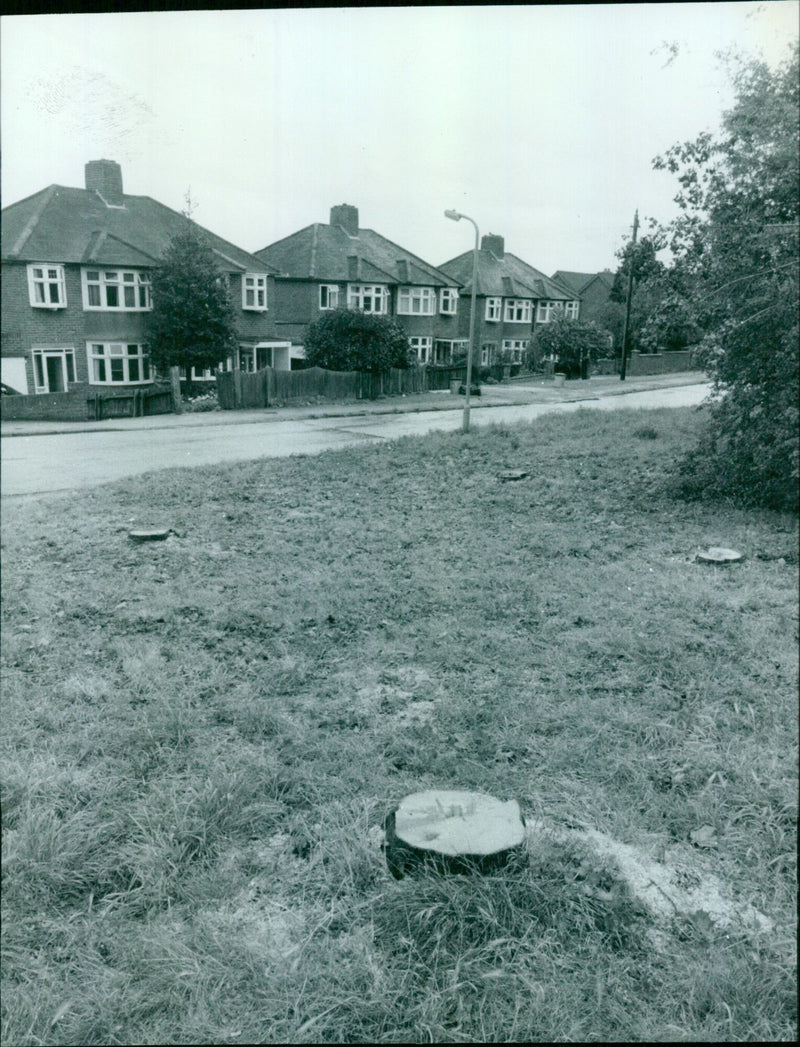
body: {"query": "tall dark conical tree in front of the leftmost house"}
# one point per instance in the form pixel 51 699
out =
pixel 192 323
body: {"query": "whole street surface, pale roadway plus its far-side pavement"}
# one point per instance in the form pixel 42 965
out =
pixel 36 460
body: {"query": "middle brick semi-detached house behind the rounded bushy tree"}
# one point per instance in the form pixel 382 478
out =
pixel 343 265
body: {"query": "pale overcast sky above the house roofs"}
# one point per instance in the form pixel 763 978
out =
pixel 541 123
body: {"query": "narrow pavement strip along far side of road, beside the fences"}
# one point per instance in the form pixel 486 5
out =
pixel 514 393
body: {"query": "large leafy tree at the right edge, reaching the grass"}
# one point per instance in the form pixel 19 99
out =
pixel 736 248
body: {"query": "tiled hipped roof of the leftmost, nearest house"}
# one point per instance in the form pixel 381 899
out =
pixel 72 226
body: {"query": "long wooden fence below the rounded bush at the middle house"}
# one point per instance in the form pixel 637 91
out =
pixel 239 390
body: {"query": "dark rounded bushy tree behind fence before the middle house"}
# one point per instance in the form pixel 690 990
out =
pixel 349 340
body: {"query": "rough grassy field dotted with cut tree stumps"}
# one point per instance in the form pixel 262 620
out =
pixel 202 740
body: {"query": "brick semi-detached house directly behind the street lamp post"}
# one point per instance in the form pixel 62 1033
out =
pixel 513 300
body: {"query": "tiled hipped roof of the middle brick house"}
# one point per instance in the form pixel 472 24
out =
pixel 322 252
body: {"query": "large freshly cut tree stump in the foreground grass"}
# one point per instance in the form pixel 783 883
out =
pixel 454 832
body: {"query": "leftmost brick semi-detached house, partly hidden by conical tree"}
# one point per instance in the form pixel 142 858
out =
pixel 77 268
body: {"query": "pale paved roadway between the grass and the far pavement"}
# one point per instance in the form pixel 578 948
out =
pixel 52 463
